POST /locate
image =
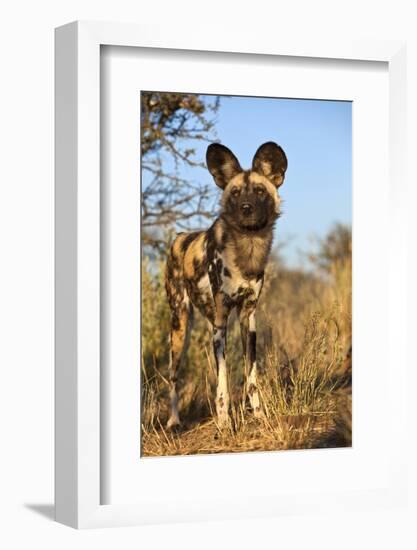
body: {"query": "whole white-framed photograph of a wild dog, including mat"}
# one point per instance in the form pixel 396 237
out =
pixel 228 213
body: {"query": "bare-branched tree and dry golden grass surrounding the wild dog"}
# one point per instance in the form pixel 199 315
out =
pixel 303 320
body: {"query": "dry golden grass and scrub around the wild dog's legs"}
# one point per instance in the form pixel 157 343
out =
pixel 304 343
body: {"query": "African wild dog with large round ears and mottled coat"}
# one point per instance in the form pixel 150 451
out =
pixel 223 267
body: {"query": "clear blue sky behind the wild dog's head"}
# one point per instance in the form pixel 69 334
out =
pixel 317 138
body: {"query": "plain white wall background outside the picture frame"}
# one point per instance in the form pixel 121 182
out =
pixel 26 268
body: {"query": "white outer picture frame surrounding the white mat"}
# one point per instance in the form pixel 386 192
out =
pixel 78 405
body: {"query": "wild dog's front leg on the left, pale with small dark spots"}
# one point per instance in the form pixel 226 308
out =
pixel 222 395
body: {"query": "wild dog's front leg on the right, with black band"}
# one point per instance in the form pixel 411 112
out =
pixel 248 331
